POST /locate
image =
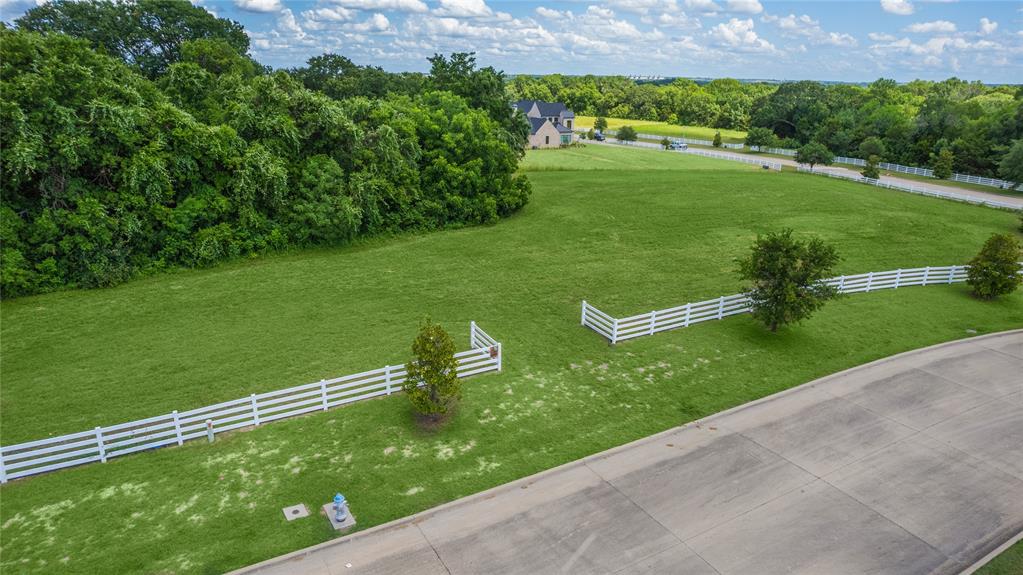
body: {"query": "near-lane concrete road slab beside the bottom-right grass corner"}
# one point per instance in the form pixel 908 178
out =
pixel 956 503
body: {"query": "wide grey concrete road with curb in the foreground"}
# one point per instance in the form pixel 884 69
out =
pixel 910 465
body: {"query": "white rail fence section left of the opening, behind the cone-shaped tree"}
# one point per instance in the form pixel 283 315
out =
pixel 175 428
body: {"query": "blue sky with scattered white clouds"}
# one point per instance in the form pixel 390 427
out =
pixel 823 40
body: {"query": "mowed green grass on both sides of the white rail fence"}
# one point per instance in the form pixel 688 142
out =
pixel 627 240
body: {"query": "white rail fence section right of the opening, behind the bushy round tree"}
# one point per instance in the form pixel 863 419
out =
pixel 620 329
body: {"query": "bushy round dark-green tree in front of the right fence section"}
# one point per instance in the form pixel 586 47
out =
pixel 787 277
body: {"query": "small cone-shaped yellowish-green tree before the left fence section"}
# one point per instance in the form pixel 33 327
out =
pixel 433 385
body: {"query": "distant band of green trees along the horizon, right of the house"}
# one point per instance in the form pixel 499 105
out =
pixel 914 122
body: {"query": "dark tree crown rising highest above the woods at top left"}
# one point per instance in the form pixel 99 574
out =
pixel 147 34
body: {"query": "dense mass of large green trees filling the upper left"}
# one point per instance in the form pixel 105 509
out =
pixel 131 148
